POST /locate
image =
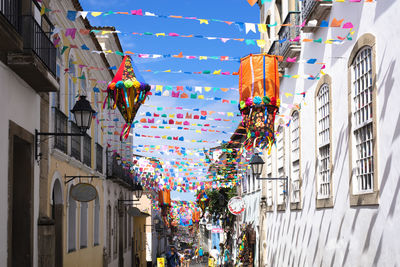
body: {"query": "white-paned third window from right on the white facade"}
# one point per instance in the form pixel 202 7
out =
pixel 295 160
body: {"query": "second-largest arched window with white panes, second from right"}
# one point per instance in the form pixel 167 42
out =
pixel 323 143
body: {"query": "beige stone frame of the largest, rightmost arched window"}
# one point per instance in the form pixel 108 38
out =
pixel 372 197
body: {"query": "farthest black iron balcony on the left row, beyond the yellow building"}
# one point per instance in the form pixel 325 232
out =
pixel 116 171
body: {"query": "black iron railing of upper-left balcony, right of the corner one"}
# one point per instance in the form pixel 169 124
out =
pixel 38 41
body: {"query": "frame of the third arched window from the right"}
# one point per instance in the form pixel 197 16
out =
pixel 295 205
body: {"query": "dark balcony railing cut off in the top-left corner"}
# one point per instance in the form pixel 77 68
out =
pixel 10 25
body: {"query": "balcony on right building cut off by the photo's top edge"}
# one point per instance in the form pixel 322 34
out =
pixel 314 10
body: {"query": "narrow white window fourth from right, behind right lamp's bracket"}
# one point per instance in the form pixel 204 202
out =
pixel 280 158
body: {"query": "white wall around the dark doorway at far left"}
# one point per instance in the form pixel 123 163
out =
pixel 21 104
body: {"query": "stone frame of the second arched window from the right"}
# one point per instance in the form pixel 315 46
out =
pixel 324 202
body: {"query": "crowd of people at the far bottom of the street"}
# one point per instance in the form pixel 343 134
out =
pixel 197 255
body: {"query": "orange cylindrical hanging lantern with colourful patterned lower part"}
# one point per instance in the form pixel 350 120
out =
pixel 259 98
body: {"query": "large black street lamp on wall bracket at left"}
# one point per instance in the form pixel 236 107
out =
pixel 82 112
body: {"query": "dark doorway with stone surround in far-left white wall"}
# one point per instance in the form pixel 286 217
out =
pixel 20 222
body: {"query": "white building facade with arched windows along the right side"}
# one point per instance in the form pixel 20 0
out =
pixel 338 139
